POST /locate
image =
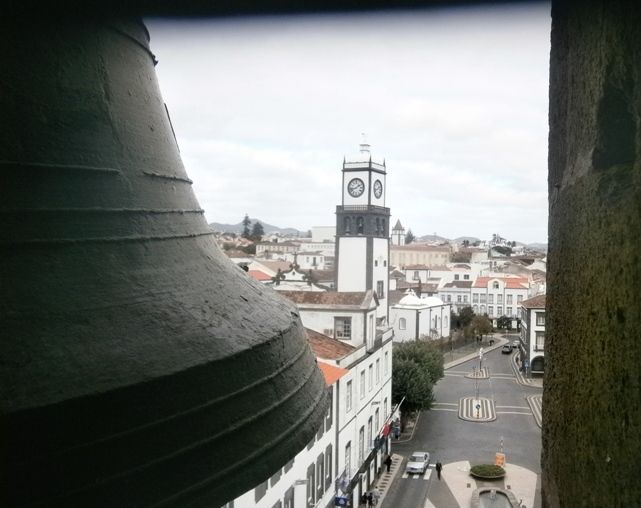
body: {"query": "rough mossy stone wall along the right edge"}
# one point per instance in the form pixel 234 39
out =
pixel 591 400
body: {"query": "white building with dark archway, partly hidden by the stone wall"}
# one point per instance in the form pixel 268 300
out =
pixel 533 334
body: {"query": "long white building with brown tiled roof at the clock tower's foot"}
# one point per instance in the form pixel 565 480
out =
pixel 365 394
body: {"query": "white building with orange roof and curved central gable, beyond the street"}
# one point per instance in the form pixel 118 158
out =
pixel 499 296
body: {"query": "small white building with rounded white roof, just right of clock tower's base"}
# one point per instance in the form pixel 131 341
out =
pixel 414 317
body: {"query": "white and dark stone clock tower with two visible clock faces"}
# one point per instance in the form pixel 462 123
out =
pixel 362 228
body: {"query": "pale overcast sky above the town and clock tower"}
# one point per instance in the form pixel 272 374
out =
pixel 456 102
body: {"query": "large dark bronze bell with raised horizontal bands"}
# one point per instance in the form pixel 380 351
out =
pixel 138 366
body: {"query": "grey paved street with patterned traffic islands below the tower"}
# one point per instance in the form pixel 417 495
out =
pixel 458 435
